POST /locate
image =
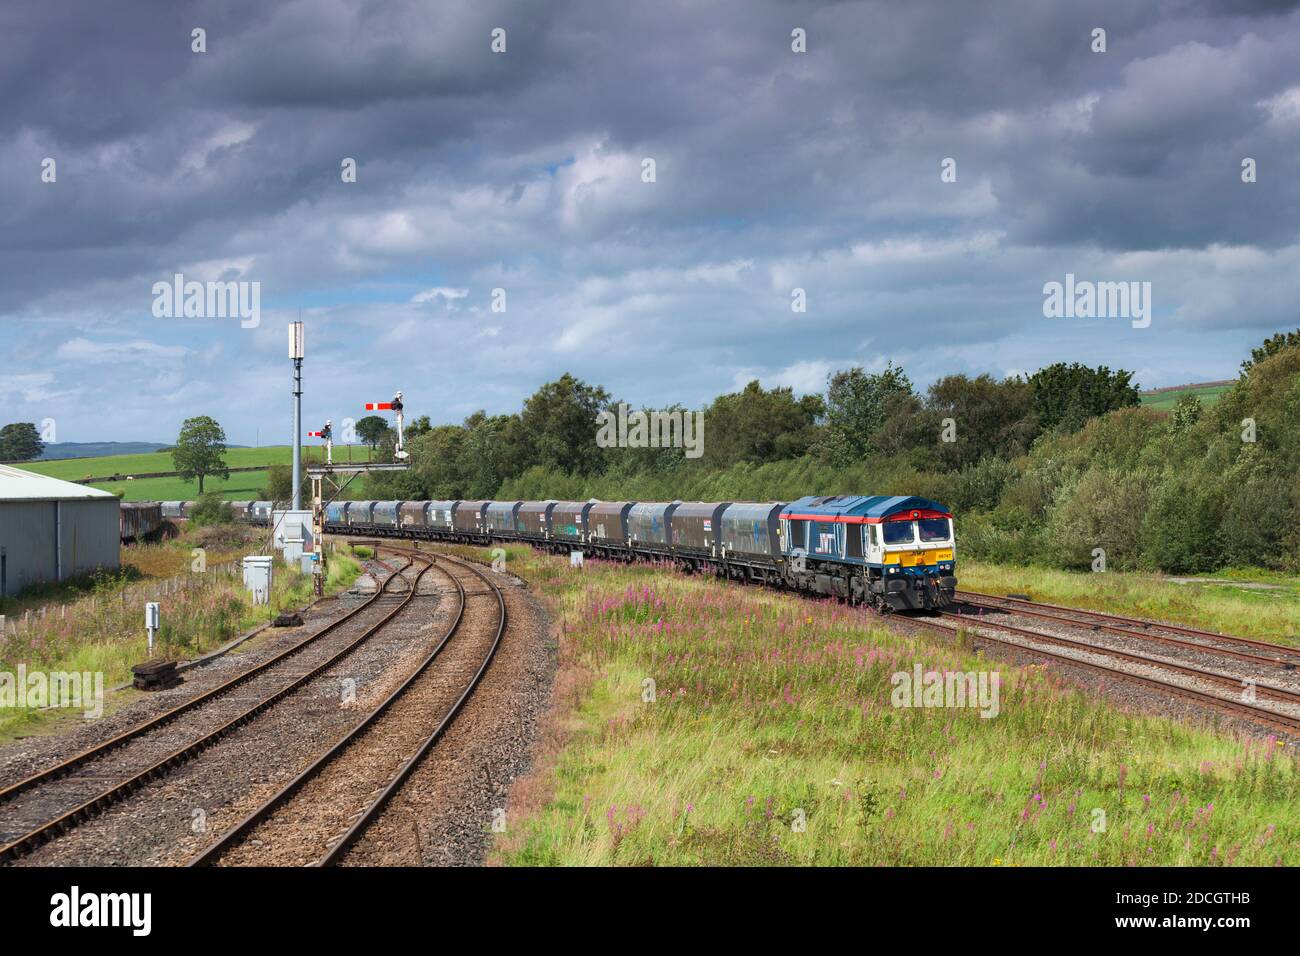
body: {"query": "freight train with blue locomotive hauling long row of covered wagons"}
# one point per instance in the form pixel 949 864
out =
pixel 896 553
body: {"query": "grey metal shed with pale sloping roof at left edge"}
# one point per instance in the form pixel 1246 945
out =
pixel 53 530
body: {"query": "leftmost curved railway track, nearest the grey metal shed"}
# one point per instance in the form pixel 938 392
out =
pixel 55 801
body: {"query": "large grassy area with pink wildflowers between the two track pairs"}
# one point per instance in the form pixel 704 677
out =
pixel 770 710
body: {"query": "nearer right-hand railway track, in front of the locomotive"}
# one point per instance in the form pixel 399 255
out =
pixel 1255 713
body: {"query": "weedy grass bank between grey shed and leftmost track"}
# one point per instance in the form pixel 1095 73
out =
pixel 101 630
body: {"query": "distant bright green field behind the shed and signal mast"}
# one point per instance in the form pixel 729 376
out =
pixel 240 487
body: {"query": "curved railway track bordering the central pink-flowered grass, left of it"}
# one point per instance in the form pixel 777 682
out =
pixel 318 816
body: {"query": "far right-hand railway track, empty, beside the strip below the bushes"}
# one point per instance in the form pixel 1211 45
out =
pixel 1229 646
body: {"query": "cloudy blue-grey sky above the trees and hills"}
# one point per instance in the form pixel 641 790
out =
pixel 920 171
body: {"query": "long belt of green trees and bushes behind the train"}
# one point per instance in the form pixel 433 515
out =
pixel 1063 468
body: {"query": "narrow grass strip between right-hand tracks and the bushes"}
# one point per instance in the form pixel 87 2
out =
pixel 1217 604
